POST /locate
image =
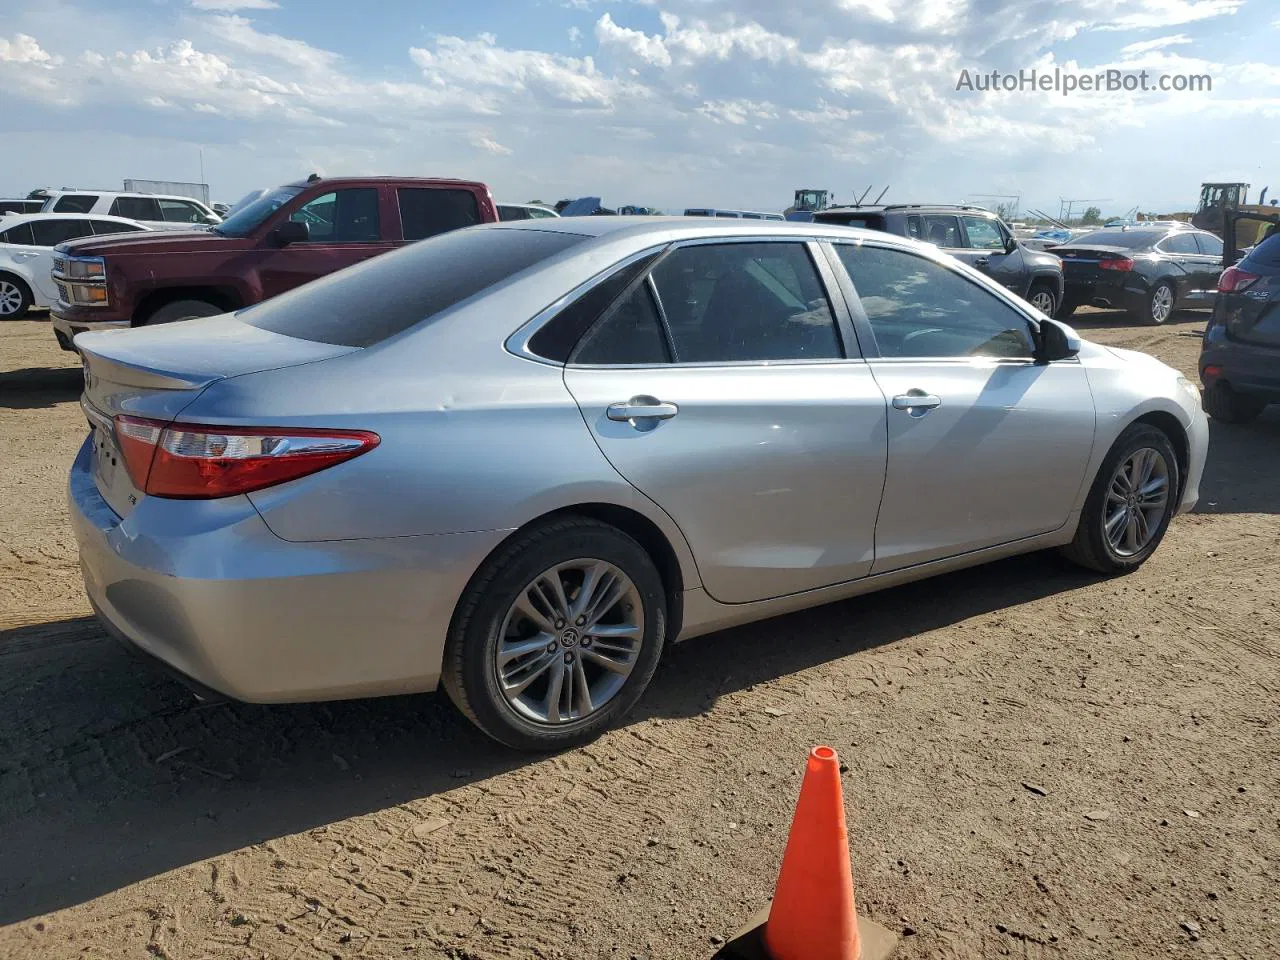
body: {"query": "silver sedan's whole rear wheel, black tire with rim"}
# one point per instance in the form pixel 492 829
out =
pixel 504 682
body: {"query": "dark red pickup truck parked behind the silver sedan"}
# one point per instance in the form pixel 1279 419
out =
pixel 278 241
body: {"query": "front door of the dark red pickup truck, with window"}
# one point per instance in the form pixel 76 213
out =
pixel 345 228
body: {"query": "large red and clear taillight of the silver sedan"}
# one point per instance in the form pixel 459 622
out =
pixel 194 461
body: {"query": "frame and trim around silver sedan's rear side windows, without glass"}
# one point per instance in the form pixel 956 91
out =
pixel 845 336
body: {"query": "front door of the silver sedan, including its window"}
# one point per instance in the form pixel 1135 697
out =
pixel 985 445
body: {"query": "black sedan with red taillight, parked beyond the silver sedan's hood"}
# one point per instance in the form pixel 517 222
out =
pixel 1148 272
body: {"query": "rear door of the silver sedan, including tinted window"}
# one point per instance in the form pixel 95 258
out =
pixel 723 387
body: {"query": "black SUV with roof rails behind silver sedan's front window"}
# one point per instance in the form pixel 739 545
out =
pixel 972 235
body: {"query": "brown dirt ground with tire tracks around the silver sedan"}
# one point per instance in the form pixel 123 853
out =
pixel 1041 764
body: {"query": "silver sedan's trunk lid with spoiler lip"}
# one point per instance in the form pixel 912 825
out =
pixel 157 372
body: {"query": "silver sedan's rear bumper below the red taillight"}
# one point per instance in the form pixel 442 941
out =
pixel 209 591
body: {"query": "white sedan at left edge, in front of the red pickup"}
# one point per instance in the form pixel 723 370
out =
pixel 28 245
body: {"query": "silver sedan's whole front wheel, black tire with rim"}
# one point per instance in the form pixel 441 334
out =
pixel 1096 538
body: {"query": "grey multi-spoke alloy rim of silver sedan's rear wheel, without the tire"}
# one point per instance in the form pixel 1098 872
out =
pixel 569 642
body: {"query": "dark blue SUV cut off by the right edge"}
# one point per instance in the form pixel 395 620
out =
pixel 1241 355
